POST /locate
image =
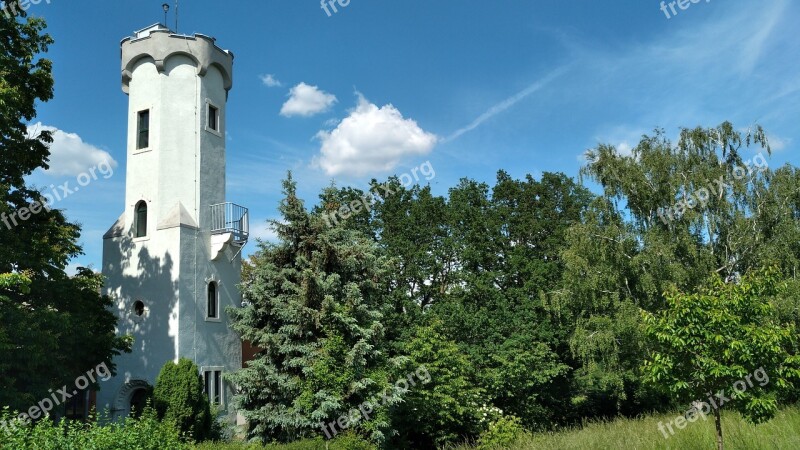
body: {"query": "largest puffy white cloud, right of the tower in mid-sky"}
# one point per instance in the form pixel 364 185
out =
pixel 370 140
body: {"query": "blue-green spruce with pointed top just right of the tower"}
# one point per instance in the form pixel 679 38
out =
pixel 315 306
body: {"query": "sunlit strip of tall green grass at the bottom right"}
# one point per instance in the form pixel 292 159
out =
pixel 782 432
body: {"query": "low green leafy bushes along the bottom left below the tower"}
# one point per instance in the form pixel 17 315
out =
pixel 145 433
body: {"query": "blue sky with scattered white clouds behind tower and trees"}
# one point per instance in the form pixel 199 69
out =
pixel 521 85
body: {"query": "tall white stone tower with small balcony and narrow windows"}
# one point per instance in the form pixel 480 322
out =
pixel 173 258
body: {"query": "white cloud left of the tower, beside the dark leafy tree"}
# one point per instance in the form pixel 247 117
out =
pixel 69 155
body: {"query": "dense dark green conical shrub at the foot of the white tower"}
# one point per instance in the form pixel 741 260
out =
pixel 179 398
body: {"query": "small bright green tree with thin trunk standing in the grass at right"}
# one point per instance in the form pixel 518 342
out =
pixel 709 345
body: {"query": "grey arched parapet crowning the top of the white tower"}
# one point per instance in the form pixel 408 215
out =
pixel 159 44
